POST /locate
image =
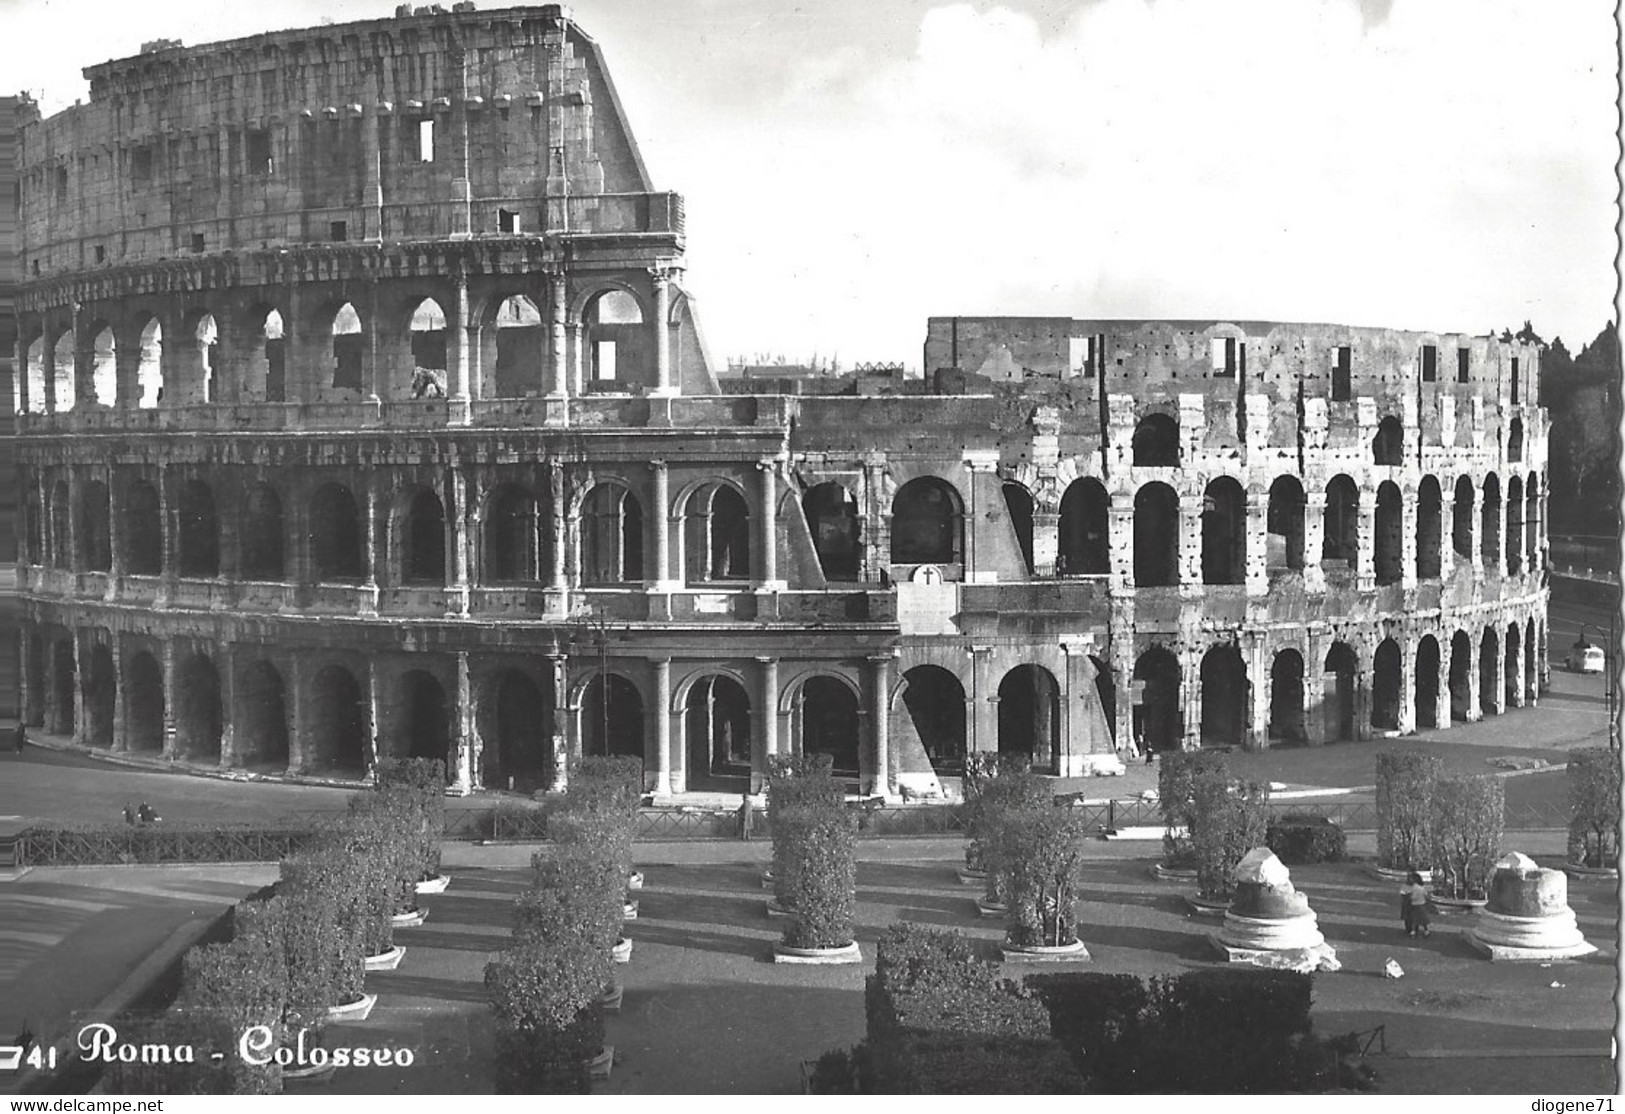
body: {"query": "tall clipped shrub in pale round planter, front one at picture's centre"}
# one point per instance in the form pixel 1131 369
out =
pixel 820 874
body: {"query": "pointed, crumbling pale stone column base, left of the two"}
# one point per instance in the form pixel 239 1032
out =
pixel 1270 923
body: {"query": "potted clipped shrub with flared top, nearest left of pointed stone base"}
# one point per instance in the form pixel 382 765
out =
pixel 1042 855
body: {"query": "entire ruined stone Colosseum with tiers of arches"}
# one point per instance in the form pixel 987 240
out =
pixel 365 412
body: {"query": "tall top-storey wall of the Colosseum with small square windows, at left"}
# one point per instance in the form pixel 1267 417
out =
pixel 418 127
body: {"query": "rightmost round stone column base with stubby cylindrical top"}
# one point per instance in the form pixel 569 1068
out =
pixel 1528 917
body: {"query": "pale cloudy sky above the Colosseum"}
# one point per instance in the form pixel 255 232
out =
pixel 856 166
